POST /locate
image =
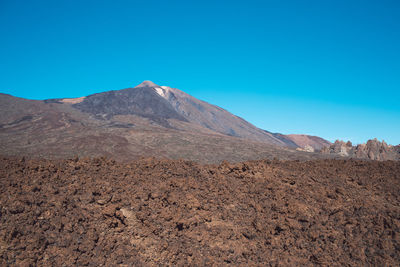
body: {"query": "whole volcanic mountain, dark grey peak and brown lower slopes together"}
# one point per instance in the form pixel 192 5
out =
pixel 146 120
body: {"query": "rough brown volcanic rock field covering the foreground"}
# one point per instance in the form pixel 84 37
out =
pixel 161 212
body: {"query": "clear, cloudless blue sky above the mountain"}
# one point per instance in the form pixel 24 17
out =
pixel 327 68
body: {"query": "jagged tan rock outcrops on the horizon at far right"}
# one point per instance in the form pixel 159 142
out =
pixel 373 149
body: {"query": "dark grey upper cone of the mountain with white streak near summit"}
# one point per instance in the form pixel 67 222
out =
pixel 161 103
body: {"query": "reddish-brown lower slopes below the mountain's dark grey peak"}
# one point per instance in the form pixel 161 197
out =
pixel 55 129
